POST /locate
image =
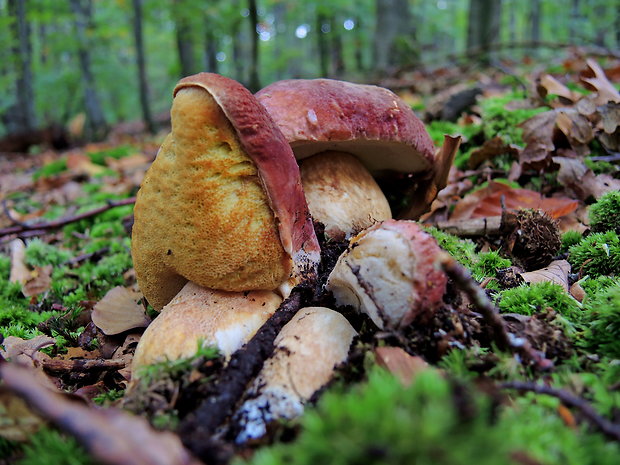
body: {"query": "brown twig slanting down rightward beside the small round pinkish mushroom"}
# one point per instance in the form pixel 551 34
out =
pixel 502 337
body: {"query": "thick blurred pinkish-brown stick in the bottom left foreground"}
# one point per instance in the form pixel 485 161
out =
pixel 111 436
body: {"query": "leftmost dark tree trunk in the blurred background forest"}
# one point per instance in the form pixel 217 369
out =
pixel 23 110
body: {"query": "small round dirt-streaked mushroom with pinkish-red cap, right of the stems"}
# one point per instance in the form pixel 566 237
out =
pixel 390 272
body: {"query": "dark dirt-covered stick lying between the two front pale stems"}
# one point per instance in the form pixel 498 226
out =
pixel 198 428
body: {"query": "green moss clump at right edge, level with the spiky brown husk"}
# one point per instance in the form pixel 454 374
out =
pixel 596 255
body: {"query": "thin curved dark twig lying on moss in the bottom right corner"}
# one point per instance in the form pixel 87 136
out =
pixel 609 429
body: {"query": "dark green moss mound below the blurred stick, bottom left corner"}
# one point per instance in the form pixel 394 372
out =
pixel 49 447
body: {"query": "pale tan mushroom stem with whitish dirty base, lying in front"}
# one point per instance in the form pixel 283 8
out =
pixel 307 350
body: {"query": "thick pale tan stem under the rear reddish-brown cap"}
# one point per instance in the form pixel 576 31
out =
pixel 342 194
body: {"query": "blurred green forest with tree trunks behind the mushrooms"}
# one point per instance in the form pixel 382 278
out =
pixel 88 64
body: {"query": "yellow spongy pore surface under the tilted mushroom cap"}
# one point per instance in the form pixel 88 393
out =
pixel 202 214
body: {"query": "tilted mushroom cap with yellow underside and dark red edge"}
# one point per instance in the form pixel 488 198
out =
pixel 222 205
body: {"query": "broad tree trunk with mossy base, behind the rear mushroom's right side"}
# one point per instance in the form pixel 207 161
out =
pixel 395 45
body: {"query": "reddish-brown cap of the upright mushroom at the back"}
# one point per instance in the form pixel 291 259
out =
pixel 370 122
